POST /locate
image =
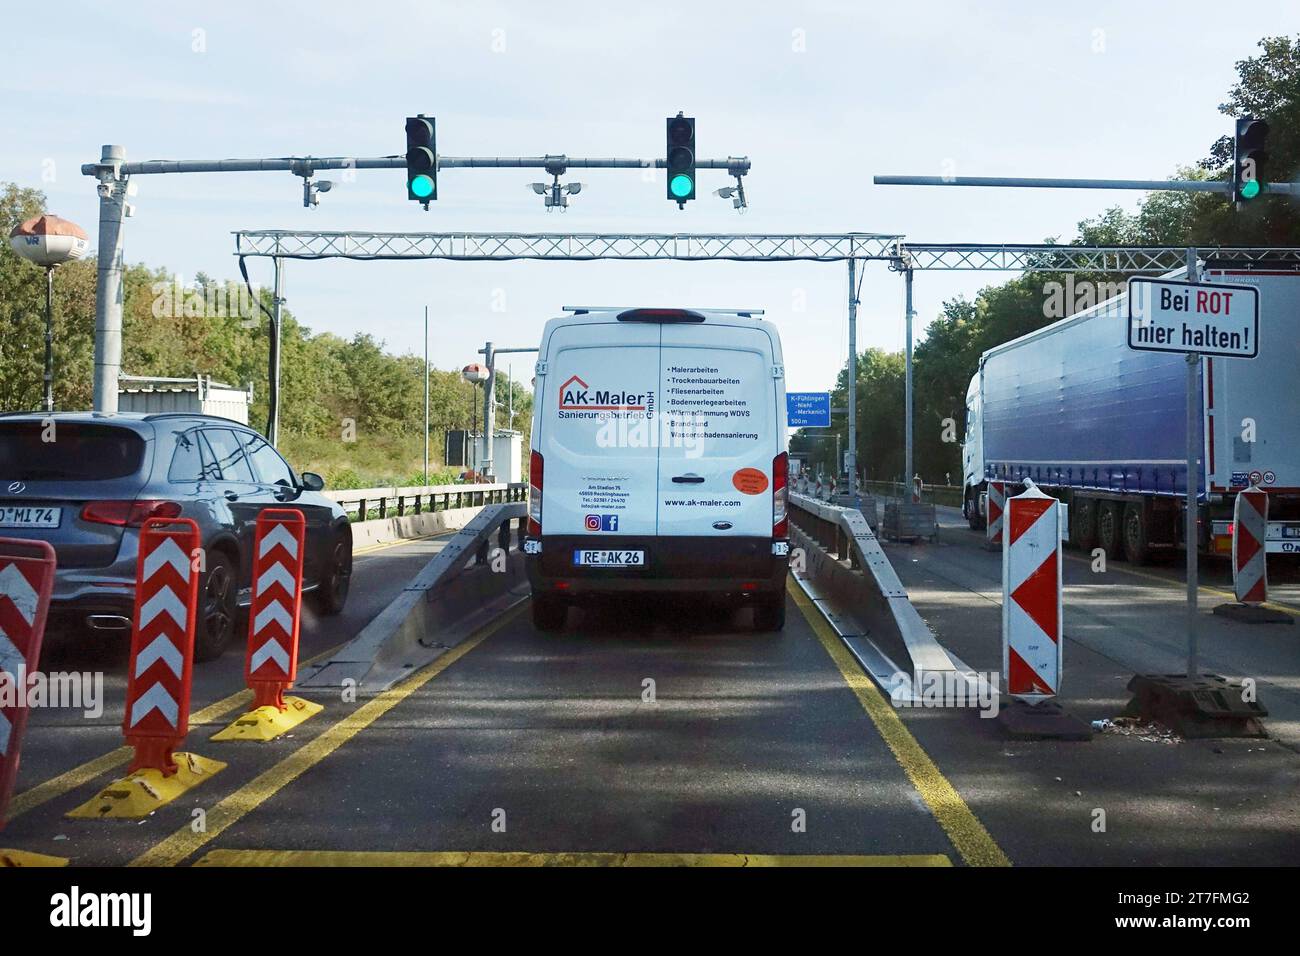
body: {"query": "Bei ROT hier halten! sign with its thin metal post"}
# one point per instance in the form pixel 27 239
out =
pixel 1195 319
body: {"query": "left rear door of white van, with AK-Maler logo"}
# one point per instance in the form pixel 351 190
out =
pixel 599 430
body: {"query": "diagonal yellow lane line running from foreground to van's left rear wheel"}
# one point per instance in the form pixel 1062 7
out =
pixel 249 798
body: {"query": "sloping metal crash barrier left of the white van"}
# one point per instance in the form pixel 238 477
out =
pixel 478 576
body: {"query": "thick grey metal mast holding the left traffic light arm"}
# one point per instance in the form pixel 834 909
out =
pixel 109 291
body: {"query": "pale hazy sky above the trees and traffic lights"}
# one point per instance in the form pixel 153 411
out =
pixel 820 97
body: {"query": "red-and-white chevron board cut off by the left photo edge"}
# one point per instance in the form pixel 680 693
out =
pixel 27 579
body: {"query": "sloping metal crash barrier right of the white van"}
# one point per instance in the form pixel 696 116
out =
pixel 847 574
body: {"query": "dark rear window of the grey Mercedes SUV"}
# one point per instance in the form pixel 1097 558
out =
pixel 77 452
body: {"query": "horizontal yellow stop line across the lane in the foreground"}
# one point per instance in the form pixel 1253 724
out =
pixel 328 858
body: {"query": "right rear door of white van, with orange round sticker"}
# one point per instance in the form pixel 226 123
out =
pixel 720 432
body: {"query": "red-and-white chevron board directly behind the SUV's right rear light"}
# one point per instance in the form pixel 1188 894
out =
pixel 158 684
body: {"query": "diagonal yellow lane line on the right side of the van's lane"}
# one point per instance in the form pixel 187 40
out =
pixel 963 827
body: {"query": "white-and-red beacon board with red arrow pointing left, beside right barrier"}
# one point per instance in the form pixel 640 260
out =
pixel 1032 596
